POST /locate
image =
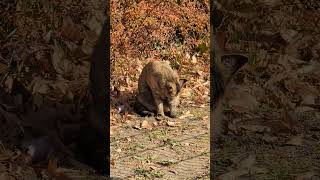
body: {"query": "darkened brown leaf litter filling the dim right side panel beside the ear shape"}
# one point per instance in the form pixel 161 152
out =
pixel 272 106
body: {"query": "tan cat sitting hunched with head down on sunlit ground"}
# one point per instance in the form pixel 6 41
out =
pixel 159 89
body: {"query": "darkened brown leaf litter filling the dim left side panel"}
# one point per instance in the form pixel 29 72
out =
pixel 45 48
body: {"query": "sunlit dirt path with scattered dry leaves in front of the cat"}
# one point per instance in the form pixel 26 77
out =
pixel 173 149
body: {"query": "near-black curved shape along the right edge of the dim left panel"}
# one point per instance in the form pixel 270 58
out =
pixel 100 86
